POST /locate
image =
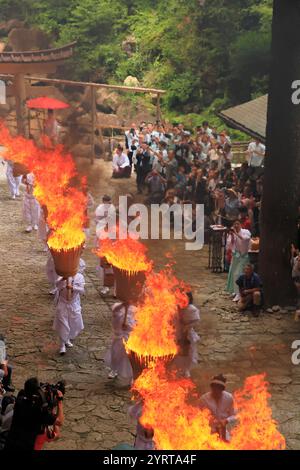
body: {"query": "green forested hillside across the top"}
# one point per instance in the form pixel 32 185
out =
pixel 207 54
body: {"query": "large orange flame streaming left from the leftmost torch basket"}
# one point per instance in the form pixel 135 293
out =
pixel 54 172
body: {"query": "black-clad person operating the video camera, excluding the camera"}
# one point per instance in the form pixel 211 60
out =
pixel 31 417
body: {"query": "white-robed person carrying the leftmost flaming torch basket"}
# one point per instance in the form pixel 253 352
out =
pixel 68 321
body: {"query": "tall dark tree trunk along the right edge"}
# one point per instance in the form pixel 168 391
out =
pixel 282 165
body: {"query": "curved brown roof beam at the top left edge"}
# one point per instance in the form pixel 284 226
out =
pixel 32 57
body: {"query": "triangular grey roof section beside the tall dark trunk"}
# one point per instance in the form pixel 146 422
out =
pixel 250 117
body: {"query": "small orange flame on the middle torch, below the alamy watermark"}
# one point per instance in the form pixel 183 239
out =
pixel 126 254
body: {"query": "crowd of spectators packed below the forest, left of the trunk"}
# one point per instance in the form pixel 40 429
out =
pixel 175 165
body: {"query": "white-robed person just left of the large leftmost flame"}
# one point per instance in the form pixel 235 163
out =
pixel 31 208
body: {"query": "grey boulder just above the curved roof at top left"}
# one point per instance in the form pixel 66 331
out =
pixel 24 39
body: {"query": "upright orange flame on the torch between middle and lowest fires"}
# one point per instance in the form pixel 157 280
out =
pixel 154 333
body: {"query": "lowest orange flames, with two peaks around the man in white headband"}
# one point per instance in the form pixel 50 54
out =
pixel 169 407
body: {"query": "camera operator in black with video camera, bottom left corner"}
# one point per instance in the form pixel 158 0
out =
pixel 38 416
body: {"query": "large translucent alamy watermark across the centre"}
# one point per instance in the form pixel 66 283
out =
pixel 154 222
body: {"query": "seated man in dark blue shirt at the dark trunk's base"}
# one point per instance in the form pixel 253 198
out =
pixel 250 287
